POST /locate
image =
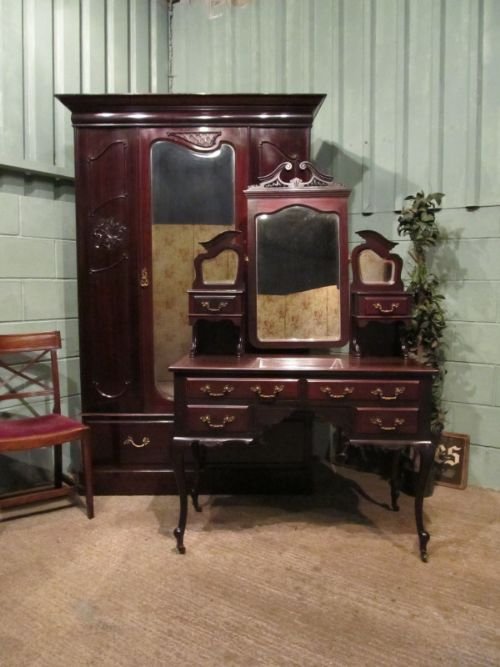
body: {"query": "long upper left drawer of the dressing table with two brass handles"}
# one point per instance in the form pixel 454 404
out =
pixel 218 389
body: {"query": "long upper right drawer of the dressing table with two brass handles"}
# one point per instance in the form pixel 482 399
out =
pixel 384 391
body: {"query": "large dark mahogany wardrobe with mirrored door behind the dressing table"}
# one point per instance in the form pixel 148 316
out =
pixel 157 175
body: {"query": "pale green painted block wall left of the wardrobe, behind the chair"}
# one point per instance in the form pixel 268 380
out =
pixel 38 293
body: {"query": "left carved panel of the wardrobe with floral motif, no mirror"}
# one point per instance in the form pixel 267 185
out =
pixel 109 275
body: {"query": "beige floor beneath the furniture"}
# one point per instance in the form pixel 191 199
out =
pixel 330 579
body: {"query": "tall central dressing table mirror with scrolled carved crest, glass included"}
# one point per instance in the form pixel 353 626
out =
pixel 298 281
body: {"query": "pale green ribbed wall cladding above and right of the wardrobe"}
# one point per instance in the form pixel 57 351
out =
pixel 411 85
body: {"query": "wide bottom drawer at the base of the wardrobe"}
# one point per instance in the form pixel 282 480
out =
pixel 131 442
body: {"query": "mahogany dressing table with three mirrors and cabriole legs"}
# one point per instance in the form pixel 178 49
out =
pixel 292 280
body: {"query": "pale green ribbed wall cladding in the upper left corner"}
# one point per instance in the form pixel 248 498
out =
pixel 70 46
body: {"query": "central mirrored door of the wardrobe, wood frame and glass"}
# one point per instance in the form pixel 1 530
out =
pixel 193 180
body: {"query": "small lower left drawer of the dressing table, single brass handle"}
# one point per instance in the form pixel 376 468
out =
pixel 211 420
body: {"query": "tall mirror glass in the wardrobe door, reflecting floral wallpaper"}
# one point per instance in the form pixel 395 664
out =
pixel 192 200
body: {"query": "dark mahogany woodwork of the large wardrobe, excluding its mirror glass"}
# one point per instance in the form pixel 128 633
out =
pixel 114 135
